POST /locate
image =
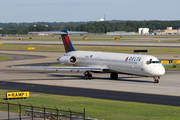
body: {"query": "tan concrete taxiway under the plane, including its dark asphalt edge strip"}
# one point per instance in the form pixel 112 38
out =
pixel 126 88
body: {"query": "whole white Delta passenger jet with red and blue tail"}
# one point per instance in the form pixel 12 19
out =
pixel 104 62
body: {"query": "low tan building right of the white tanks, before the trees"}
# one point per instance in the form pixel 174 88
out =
pixel 167 31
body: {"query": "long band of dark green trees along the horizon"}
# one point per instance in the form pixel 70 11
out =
pixel 91 27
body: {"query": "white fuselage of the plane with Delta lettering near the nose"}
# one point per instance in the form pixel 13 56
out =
pixel 136 64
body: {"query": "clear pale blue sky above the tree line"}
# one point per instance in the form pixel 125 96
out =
pixel 87 10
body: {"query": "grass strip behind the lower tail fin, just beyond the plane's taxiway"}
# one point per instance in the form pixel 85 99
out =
pixel 116 49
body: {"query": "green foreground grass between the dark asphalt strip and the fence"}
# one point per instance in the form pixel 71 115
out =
pixel 99 108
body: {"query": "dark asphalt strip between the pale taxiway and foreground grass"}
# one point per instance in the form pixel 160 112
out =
pixel 93 93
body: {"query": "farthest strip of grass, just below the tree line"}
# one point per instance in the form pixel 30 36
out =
pixel 93 37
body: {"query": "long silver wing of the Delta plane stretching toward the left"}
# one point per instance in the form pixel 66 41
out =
pixel 61 68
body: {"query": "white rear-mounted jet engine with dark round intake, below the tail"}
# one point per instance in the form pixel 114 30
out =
pixel 67 60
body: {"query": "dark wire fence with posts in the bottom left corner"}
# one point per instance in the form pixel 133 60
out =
pixel 32 112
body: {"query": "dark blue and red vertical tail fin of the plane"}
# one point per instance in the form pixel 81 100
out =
pixel 67 41
